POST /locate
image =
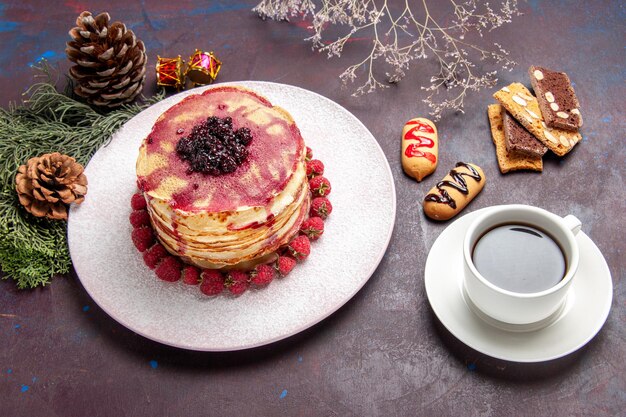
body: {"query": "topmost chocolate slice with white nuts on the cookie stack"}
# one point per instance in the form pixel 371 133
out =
pixel 557 99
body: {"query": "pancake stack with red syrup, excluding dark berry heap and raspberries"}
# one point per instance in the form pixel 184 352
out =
pixel 234 220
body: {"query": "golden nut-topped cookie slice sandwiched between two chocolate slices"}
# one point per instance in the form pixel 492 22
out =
pixel 522 105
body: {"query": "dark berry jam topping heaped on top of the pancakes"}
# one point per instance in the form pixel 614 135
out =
pixel 213 147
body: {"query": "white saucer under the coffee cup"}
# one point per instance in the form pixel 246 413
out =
pixel 586 309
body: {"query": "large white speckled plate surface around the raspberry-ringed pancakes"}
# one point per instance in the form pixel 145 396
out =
pixel 356 237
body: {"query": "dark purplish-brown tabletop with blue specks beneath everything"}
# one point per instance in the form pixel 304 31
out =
pixel 383 353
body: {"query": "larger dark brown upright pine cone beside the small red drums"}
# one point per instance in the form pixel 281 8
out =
pixel 110 61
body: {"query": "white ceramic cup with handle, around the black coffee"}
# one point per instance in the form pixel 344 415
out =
pixel 528 310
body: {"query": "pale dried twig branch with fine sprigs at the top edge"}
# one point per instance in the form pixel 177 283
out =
pixel 400 39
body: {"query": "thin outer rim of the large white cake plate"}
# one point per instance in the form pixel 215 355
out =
pixel 172 100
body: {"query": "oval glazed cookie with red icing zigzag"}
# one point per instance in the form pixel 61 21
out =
pixel 420 148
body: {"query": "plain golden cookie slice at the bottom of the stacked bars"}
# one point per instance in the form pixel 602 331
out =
pixel 509 161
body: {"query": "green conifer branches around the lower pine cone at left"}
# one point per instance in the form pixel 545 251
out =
pixel 33 250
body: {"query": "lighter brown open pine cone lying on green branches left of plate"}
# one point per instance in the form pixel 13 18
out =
pixel 47 184
